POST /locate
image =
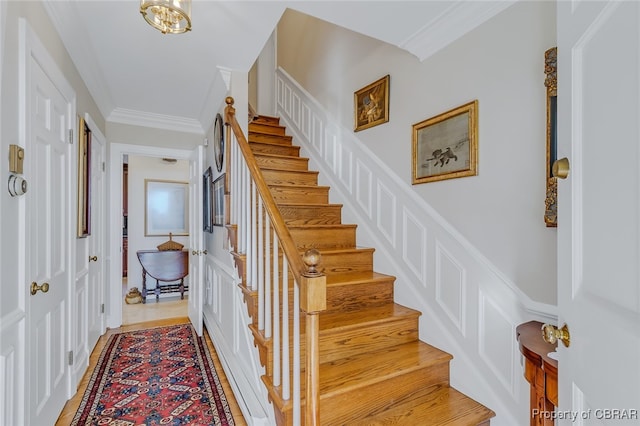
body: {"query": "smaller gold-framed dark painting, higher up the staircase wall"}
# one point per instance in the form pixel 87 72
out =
pixel 371 104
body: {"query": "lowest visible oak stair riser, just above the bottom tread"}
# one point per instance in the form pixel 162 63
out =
pixel 356 404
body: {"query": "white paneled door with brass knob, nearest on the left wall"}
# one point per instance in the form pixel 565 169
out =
pixel 48 107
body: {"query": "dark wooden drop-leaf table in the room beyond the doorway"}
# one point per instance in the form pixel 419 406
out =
pixel 166 267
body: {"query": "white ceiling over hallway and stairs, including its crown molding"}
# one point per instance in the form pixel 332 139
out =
pixel 138 75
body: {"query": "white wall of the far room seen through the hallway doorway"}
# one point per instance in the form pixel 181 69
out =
pixel 141 168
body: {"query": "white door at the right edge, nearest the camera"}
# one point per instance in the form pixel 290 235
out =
pixel 599 212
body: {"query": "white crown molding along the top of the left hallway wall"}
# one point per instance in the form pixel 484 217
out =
pixel 66 24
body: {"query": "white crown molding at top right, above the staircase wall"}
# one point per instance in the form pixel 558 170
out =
pixel 457 20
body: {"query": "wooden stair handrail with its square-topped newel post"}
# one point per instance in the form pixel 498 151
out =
pixel 312 284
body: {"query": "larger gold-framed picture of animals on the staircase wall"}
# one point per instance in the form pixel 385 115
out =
pixel 446 146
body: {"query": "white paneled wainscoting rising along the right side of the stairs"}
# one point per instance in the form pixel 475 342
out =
pixel 469 308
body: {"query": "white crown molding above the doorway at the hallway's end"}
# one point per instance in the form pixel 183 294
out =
pixel 158 121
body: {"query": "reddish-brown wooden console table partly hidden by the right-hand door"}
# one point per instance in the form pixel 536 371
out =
pixel 540 371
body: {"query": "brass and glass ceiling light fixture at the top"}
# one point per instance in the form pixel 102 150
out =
pixel 168 16
